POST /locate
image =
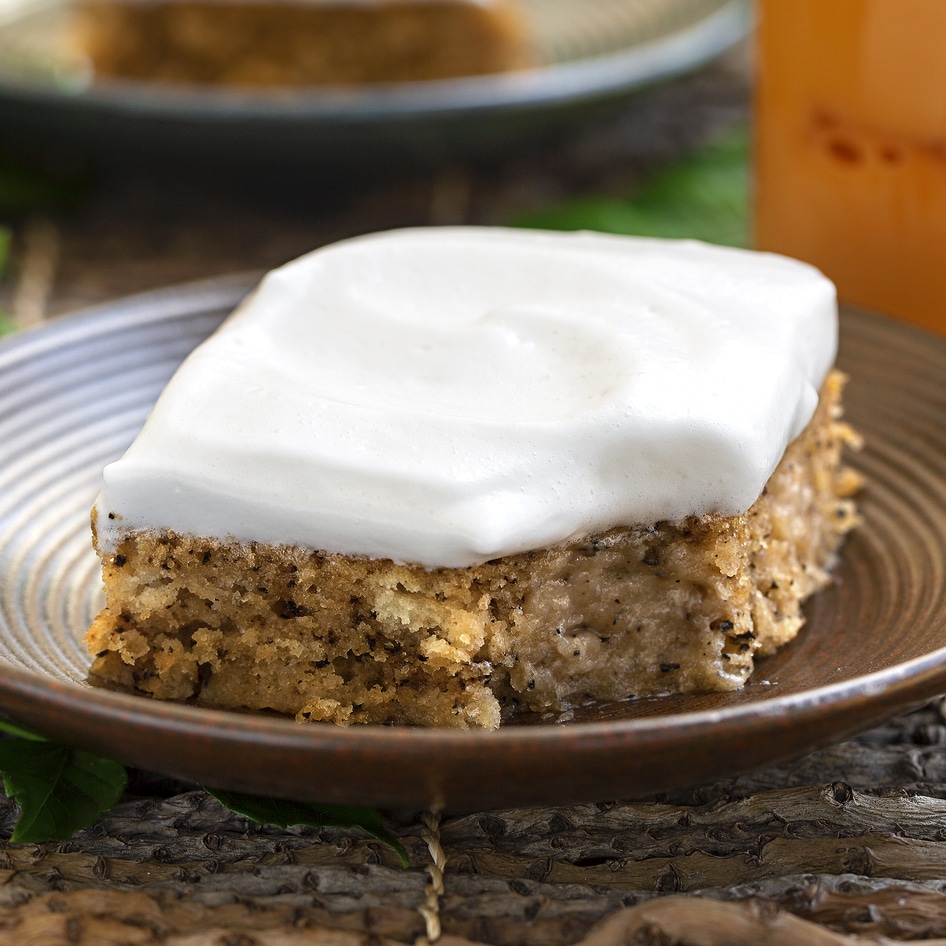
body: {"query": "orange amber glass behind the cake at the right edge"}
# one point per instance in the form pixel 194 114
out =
pixel 850 150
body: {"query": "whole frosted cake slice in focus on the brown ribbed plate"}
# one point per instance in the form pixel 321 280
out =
pixel 437 476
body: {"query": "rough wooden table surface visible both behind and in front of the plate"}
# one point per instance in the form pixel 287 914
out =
pixel 847 845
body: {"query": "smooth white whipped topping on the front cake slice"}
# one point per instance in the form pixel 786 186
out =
pixel 448 396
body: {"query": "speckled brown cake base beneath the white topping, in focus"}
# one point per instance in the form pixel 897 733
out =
pixel 638 611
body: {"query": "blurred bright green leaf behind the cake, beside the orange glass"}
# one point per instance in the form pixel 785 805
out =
pixel 704 197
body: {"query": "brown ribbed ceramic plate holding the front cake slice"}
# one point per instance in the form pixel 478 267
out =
pixel 72 395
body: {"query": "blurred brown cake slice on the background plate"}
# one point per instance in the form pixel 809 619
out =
pixel 272 43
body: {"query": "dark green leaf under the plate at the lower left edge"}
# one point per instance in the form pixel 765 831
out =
pixel 60 790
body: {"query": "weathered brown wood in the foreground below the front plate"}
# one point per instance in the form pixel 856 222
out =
pixel 849 842
